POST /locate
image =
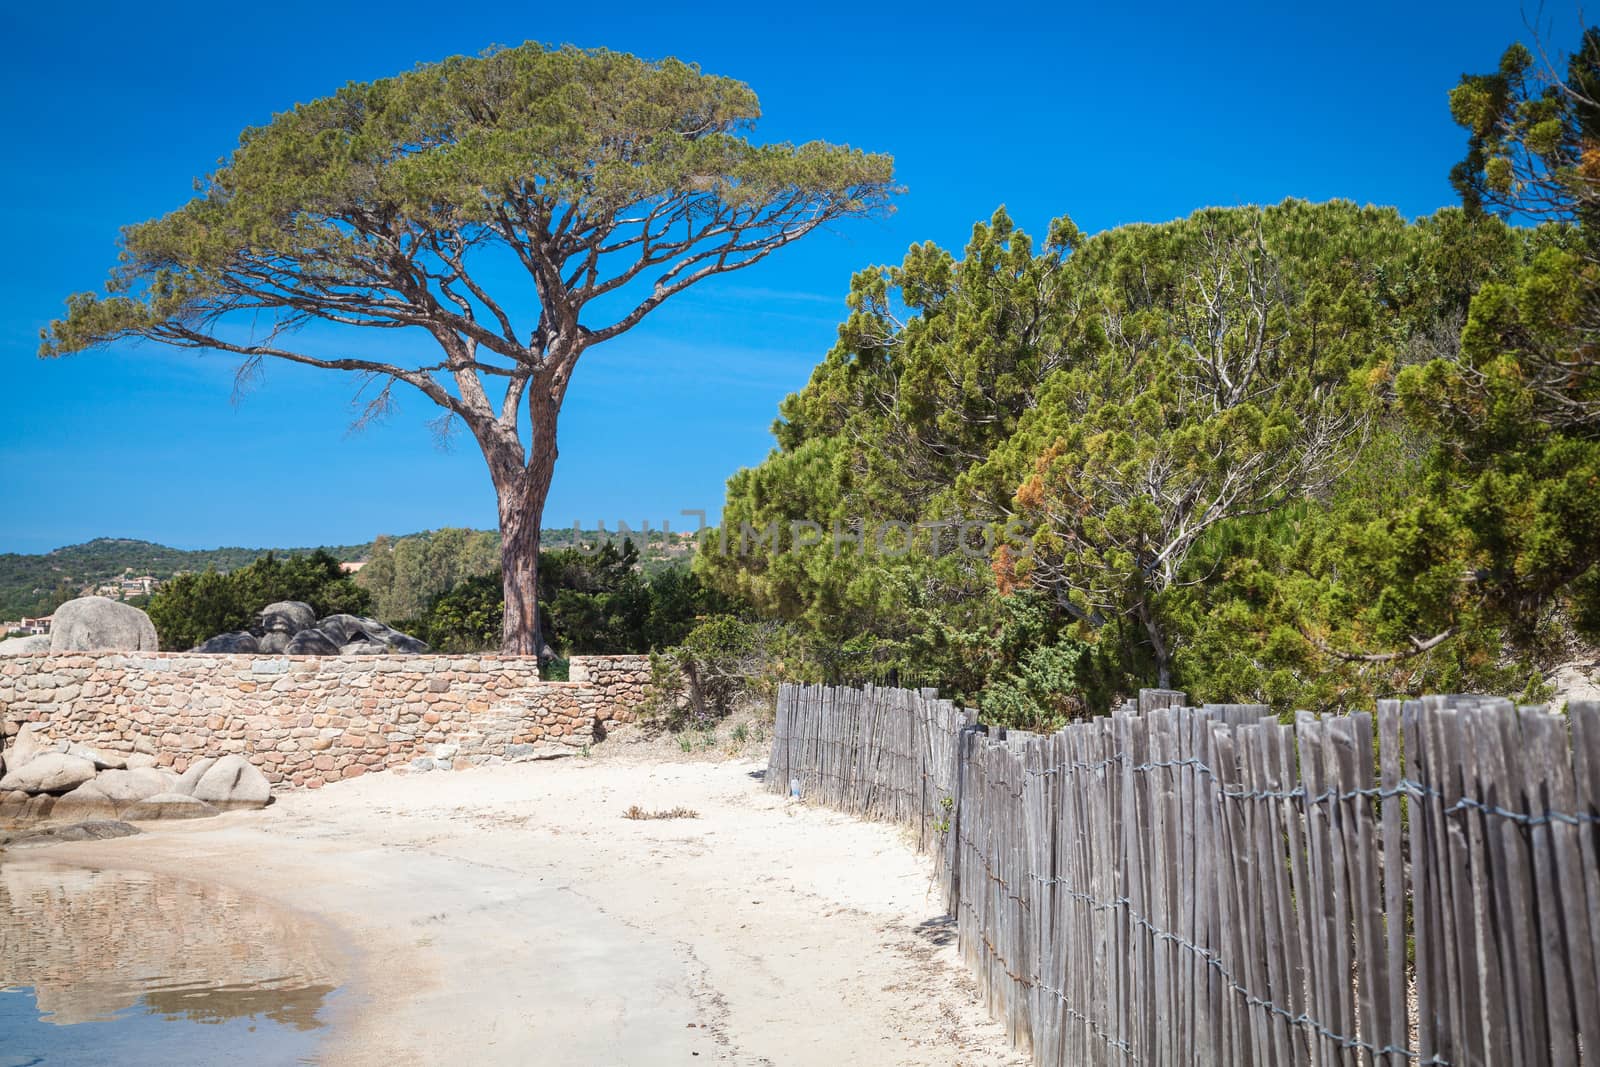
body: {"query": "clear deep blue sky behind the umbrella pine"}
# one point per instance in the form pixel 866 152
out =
pixel 113 110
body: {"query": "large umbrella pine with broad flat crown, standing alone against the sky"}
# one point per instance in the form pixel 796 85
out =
pixel 615 183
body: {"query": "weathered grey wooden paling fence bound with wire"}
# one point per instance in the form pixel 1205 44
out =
pixel 1177 885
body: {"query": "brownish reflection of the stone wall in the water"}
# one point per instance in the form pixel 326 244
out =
pixel 98 946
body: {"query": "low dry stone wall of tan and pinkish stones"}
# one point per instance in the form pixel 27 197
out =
pixel 310 721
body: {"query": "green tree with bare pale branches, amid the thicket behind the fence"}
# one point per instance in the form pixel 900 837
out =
pixel 1214 380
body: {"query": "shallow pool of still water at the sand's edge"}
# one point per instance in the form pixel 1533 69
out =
pixel 135 967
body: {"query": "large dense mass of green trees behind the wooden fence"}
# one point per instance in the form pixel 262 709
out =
pixel 1258 454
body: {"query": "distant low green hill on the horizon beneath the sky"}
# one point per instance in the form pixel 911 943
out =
pixel 38 585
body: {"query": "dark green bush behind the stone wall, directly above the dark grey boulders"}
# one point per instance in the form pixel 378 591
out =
pixel 196 607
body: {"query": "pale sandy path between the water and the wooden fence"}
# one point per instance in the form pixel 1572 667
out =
pixel 513 916
